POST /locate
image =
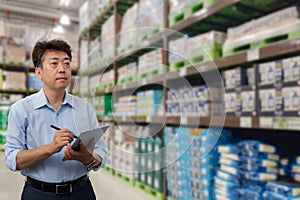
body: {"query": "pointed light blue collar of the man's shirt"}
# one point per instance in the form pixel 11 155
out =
pixel 41 100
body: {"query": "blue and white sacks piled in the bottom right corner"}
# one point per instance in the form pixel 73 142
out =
pixel 281 191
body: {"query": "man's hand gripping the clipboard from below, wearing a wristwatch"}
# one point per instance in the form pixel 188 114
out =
pixel 83 155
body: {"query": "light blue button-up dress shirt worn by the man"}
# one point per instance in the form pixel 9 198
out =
pixel 29 123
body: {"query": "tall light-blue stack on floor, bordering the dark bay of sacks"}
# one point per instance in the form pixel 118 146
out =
pixel 204 148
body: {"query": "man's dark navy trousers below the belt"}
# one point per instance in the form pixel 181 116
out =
pixel 85 192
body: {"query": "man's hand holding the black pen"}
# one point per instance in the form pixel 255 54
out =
pixel 61 138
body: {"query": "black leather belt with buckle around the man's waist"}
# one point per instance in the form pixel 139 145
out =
pixel 58 188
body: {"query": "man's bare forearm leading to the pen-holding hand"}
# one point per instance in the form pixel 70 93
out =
pixel 29 158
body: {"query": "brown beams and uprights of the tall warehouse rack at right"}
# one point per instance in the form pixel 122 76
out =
pixel 192 25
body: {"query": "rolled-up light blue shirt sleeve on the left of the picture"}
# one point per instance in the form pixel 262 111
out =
pixel 15 138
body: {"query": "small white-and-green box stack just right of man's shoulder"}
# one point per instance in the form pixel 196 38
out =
pixel 103 105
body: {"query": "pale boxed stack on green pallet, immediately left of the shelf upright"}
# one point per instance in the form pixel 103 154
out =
pixel 151 64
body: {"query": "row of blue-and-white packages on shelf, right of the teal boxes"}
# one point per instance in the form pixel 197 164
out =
pixel 193 101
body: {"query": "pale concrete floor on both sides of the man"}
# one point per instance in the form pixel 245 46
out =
pixel 106 186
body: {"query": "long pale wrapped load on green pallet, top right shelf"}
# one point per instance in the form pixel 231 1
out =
pixel 283 24
